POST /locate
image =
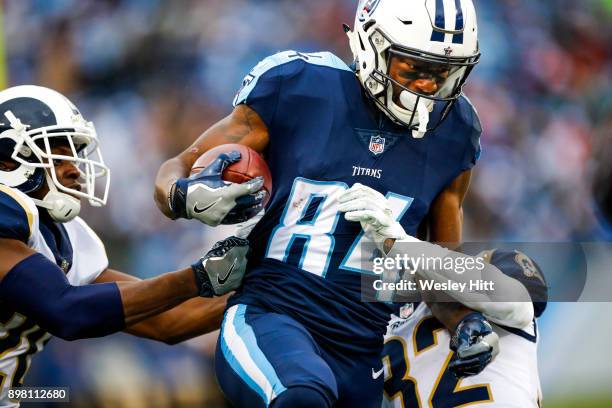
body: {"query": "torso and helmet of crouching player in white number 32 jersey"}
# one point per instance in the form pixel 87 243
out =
pixel 418 365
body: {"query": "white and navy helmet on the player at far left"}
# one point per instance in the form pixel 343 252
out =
pixel 32 120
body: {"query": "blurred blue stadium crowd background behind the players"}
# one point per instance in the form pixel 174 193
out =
pixel 153 74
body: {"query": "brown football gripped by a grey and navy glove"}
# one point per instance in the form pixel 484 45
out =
pixel 229 184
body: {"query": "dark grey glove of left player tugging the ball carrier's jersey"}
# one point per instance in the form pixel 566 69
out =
pixel 221 270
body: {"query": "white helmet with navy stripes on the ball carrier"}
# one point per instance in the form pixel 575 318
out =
pixel 438 37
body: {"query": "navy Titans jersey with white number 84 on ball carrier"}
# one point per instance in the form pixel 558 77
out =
pixel 325 135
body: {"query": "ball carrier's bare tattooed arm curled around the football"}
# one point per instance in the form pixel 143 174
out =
pixel 243 126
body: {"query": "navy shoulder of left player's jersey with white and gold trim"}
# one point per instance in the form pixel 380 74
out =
pixel 18 214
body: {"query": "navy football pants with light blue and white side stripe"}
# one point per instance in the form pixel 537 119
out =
pixel 262 355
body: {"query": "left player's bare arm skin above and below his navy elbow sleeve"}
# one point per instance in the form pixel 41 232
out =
pixel 140 299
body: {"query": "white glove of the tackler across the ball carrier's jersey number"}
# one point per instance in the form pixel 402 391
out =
pixel 372 210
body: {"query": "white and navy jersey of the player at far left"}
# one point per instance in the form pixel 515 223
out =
pixel 20 337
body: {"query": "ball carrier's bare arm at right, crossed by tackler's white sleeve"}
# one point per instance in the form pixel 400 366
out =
pixel 445 221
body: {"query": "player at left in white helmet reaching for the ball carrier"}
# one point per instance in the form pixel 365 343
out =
pixel 54 274
